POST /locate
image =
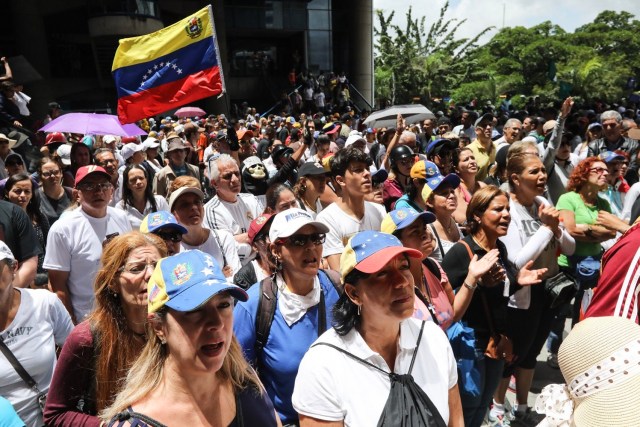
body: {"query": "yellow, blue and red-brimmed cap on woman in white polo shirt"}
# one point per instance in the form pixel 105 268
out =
pixel 369 251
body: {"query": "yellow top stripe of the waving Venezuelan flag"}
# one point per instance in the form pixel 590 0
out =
pixel 136 50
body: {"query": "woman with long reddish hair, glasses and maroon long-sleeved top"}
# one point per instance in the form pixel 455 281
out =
pixel 100 350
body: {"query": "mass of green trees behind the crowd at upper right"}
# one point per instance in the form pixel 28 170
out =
pixel 594 61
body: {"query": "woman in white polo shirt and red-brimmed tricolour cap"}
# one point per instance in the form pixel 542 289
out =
pixel 375 339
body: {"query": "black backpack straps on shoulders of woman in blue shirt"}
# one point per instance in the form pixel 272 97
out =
pixel 267 308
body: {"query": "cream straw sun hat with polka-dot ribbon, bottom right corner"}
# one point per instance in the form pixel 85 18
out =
pixel 600 362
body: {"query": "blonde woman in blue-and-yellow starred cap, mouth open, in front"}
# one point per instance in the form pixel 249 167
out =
pixel 192 370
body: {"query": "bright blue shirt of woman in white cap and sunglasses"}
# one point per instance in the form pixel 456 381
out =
pixel 285 346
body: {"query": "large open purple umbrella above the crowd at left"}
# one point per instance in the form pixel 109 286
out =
pixel 91 124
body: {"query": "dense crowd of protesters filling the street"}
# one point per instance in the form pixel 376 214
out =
pixel 306 269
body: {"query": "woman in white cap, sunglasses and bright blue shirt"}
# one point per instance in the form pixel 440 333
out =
pixel 302 299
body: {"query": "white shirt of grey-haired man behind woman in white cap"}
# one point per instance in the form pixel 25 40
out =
pixel 234 217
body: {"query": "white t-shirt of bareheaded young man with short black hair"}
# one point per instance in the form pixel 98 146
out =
pixel 342 226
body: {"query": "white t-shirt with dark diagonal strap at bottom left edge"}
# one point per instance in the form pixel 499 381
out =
pixel 40 323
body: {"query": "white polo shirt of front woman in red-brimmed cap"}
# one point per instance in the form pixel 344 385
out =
pixel 332 386
